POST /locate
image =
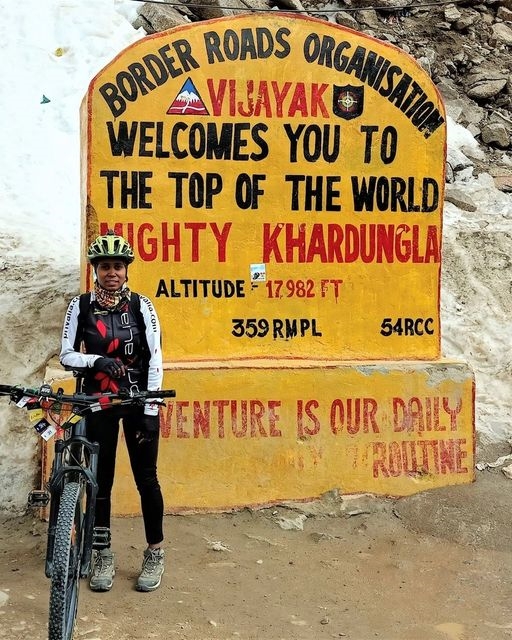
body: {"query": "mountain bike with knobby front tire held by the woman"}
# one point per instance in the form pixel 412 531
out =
pixel 71 489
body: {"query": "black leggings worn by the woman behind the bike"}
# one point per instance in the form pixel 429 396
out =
pixel 103 428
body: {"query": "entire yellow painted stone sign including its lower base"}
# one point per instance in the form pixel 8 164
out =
pixel 282 184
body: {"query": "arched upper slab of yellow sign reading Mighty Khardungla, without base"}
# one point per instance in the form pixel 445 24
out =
pixel 282 186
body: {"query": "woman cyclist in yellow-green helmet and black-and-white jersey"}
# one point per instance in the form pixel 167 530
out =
pixel 114 336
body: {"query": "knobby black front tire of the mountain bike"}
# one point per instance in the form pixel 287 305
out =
pixel 67 554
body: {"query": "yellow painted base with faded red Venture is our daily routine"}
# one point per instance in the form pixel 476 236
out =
pixel 260 432
